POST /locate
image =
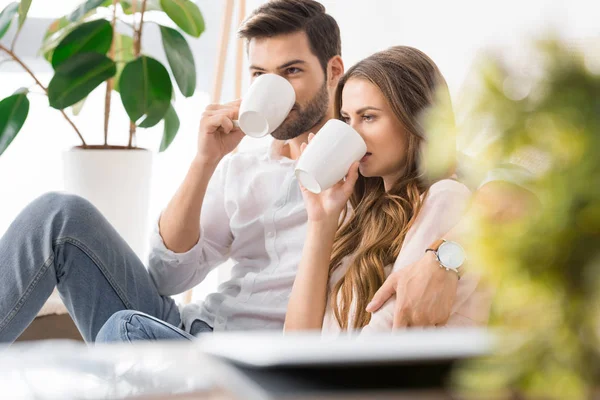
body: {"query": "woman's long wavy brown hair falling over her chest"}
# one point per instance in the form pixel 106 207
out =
pixel 379 220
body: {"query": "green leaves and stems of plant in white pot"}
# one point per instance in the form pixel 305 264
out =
pixel 86 50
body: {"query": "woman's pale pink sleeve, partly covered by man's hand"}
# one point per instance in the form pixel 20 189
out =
pixel 442 209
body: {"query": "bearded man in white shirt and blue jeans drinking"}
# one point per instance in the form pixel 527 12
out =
pixel 245 206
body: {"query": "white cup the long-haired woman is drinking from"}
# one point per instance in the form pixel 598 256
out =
pixel 328 157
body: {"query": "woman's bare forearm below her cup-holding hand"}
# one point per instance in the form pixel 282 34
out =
pixel 306 307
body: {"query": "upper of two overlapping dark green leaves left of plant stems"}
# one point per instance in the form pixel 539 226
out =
pixel 90 37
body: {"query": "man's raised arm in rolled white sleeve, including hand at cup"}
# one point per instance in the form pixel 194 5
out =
pixel 184 248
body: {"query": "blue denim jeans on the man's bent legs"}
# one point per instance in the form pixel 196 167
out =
pixel 63 241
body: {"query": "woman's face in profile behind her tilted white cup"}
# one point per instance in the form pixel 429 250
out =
pixel 365 108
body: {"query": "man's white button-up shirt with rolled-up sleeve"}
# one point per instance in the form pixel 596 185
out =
pixel 253 213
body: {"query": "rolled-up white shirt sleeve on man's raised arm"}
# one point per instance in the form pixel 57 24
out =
pixel 174 273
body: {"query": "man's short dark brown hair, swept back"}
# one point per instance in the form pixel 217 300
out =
pixel 280 17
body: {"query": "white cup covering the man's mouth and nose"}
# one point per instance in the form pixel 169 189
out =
pixel 266 105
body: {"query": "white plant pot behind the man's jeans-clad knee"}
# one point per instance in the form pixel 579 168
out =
pixel 117 182
